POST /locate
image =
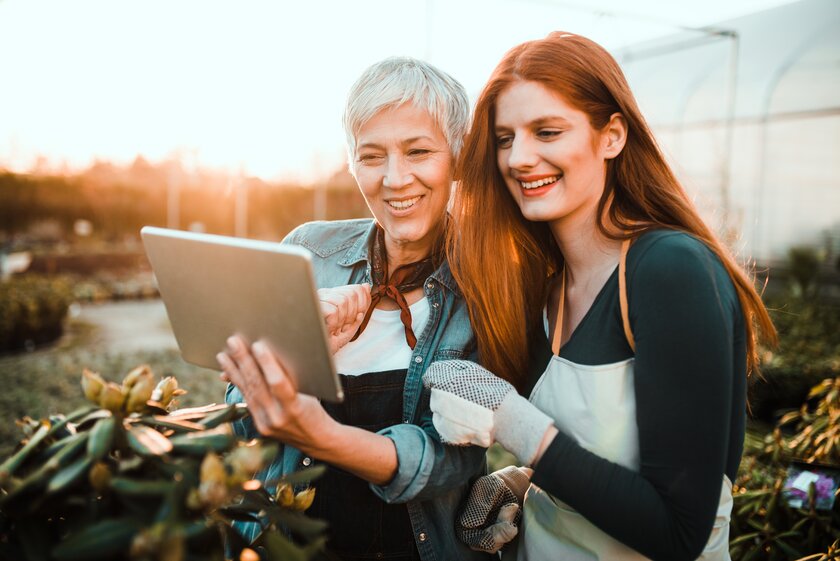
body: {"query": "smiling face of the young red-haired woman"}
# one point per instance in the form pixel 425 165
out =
pixel 552 160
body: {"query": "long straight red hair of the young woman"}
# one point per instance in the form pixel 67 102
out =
pixel 503 263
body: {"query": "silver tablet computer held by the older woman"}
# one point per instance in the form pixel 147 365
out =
pixel 216 286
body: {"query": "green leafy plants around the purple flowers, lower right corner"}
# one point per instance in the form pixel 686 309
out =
pixel 772 521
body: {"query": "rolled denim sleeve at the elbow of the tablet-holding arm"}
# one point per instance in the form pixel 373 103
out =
pixel 425 466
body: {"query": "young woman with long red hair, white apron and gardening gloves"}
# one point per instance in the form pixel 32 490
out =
pixel 594 288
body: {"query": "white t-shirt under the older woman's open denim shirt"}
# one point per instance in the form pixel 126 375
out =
pixel 382 345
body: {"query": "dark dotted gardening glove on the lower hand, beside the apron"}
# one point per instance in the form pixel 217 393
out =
pixel 493 509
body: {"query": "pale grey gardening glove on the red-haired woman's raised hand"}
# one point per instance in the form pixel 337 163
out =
pixel 471 405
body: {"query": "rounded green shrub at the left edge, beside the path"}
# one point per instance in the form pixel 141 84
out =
pixel 32 310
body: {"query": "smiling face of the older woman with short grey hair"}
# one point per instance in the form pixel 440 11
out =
pixel 403 166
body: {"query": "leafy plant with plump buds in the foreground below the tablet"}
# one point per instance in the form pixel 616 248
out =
pixel 132 477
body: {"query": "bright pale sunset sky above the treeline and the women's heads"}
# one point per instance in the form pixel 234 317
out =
pixel 258 85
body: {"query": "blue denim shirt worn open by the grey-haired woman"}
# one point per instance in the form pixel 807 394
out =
pixel 432 479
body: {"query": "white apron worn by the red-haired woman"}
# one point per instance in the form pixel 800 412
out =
pixel 596 406
